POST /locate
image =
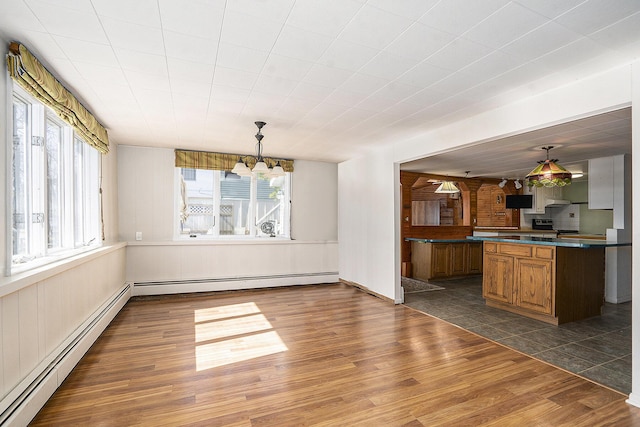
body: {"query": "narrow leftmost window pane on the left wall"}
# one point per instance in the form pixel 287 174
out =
pixel 20 133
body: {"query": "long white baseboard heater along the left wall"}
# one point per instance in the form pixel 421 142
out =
pixel 24 402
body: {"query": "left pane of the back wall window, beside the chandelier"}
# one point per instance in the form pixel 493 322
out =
pixel 199 204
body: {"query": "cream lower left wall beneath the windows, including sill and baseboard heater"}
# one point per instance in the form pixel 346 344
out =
pixel 50 321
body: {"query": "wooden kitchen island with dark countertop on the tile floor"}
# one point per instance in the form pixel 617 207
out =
pixel 548 279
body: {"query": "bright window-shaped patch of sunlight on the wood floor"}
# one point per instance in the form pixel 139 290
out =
pixel 232 334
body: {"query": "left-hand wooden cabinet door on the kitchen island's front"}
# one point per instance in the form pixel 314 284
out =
pixel 497 280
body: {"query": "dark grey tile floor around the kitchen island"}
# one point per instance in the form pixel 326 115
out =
pixel 598 348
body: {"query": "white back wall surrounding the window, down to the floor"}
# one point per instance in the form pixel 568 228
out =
pixel 146 189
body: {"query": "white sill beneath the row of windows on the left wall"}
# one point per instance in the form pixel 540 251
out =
pixel 17 281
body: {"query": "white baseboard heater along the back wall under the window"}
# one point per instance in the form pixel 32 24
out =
pixel 231 283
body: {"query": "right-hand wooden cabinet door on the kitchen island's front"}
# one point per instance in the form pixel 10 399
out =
pixel 534 285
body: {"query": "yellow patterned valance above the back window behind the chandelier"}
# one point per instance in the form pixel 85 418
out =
pixel 222 161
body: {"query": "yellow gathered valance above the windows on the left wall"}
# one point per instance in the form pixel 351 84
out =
pixel 29 73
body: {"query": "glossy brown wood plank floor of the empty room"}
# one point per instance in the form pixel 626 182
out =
pixel 327 355
